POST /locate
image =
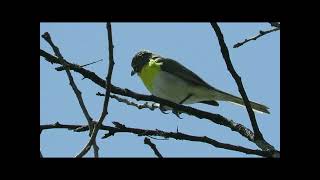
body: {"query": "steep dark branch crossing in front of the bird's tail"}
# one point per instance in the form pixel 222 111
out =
pixel 225 53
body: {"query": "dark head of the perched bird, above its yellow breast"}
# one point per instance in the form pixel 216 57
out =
pixel 140 59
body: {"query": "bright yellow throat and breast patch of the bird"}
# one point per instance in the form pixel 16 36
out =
pixel 149 72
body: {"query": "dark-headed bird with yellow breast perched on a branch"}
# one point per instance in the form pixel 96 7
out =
pixel 168 79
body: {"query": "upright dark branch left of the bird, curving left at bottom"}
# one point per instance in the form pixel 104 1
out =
pixel 107 97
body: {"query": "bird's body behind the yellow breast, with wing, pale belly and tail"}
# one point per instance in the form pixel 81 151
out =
pixel 177 80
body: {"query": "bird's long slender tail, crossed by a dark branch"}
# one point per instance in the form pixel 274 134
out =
pixel 223 96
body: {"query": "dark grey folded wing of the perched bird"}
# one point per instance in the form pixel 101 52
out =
pixel 177 69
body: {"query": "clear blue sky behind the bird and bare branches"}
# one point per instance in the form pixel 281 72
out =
pixel 193 44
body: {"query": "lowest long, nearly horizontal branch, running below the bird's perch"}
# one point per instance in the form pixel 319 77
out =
pixel 120 128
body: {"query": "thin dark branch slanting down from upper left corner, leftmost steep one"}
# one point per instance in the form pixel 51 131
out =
pixel 56 50
